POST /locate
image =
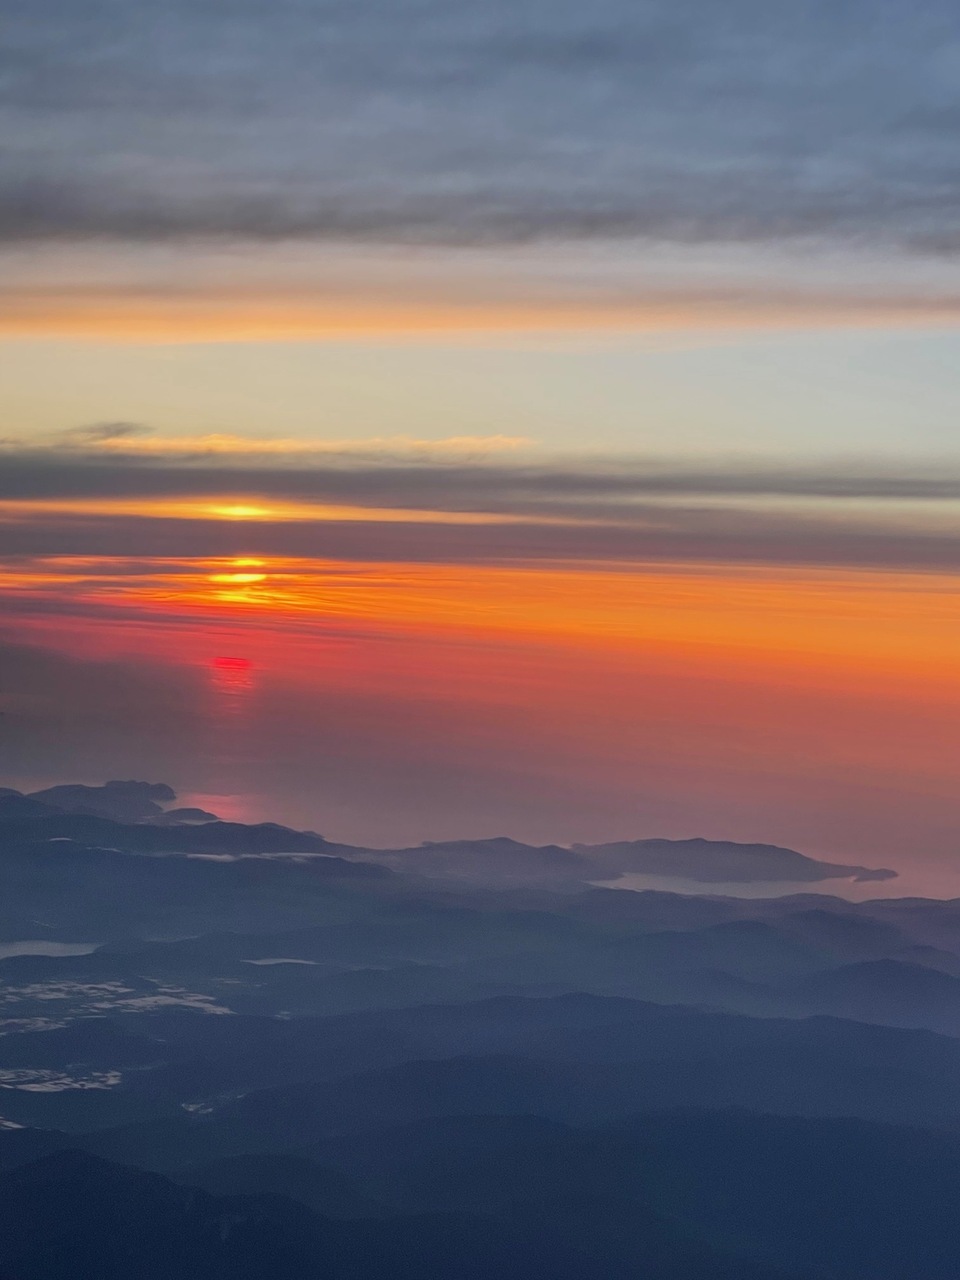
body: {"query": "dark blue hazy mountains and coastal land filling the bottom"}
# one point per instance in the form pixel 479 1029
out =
pixel 236 1050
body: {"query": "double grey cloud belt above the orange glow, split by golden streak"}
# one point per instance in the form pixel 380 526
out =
pixel 623 514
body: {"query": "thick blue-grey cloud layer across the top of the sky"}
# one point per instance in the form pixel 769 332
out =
pixel 455 124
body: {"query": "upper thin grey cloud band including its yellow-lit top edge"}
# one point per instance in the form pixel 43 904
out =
pixel 129 459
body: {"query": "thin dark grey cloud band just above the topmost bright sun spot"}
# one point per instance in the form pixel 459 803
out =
pixel 455 487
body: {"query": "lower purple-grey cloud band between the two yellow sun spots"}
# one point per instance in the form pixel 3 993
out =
pixel 674 537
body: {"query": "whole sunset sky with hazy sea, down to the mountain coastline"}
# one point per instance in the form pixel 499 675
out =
pixel 428 420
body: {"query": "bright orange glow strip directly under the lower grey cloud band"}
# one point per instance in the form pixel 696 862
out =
pixel 840 625
